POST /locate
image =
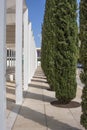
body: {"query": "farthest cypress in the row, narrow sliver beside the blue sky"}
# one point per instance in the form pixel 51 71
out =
pixel 44 49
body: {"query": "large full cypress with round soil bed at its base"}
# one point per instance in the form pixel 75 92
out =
pixel 66 48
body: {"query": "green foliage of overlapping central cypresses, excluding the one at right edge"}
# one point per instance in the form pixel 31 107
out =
pixel 60 47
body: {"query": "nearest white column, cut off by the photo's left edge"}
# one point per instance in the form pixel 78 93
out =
pixel 2 64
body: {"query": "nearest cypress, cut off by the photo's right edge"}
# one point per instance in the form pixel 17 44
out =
pixel 83 54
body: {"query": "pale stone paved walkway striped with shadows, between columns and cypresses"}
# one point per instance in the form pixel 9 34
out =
pixel 36 112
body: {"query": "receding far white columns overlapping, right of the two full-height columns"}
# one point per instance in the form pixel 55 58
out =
pixel 30 52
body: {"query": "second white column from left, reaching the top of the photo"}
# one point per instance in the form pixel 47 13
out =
pixel 18 68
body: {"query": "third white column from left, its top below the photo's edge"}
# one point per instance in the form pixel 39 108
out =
pixel 26 50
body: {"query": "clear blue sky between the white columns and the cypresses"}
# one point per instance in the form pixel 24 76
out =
pixel 36 13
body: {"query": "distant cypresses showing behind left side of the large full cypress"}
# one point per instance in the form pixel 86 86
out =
pixel 48 41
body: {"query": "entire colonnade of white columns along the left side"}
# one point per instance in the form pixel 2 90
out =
pixel 25 55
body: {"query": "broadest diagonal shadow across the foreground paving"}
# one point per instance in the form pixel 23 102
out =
pixel 43 119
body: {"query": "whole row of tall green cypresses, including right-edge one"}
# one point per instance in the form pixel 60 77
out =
pixel 60 49
